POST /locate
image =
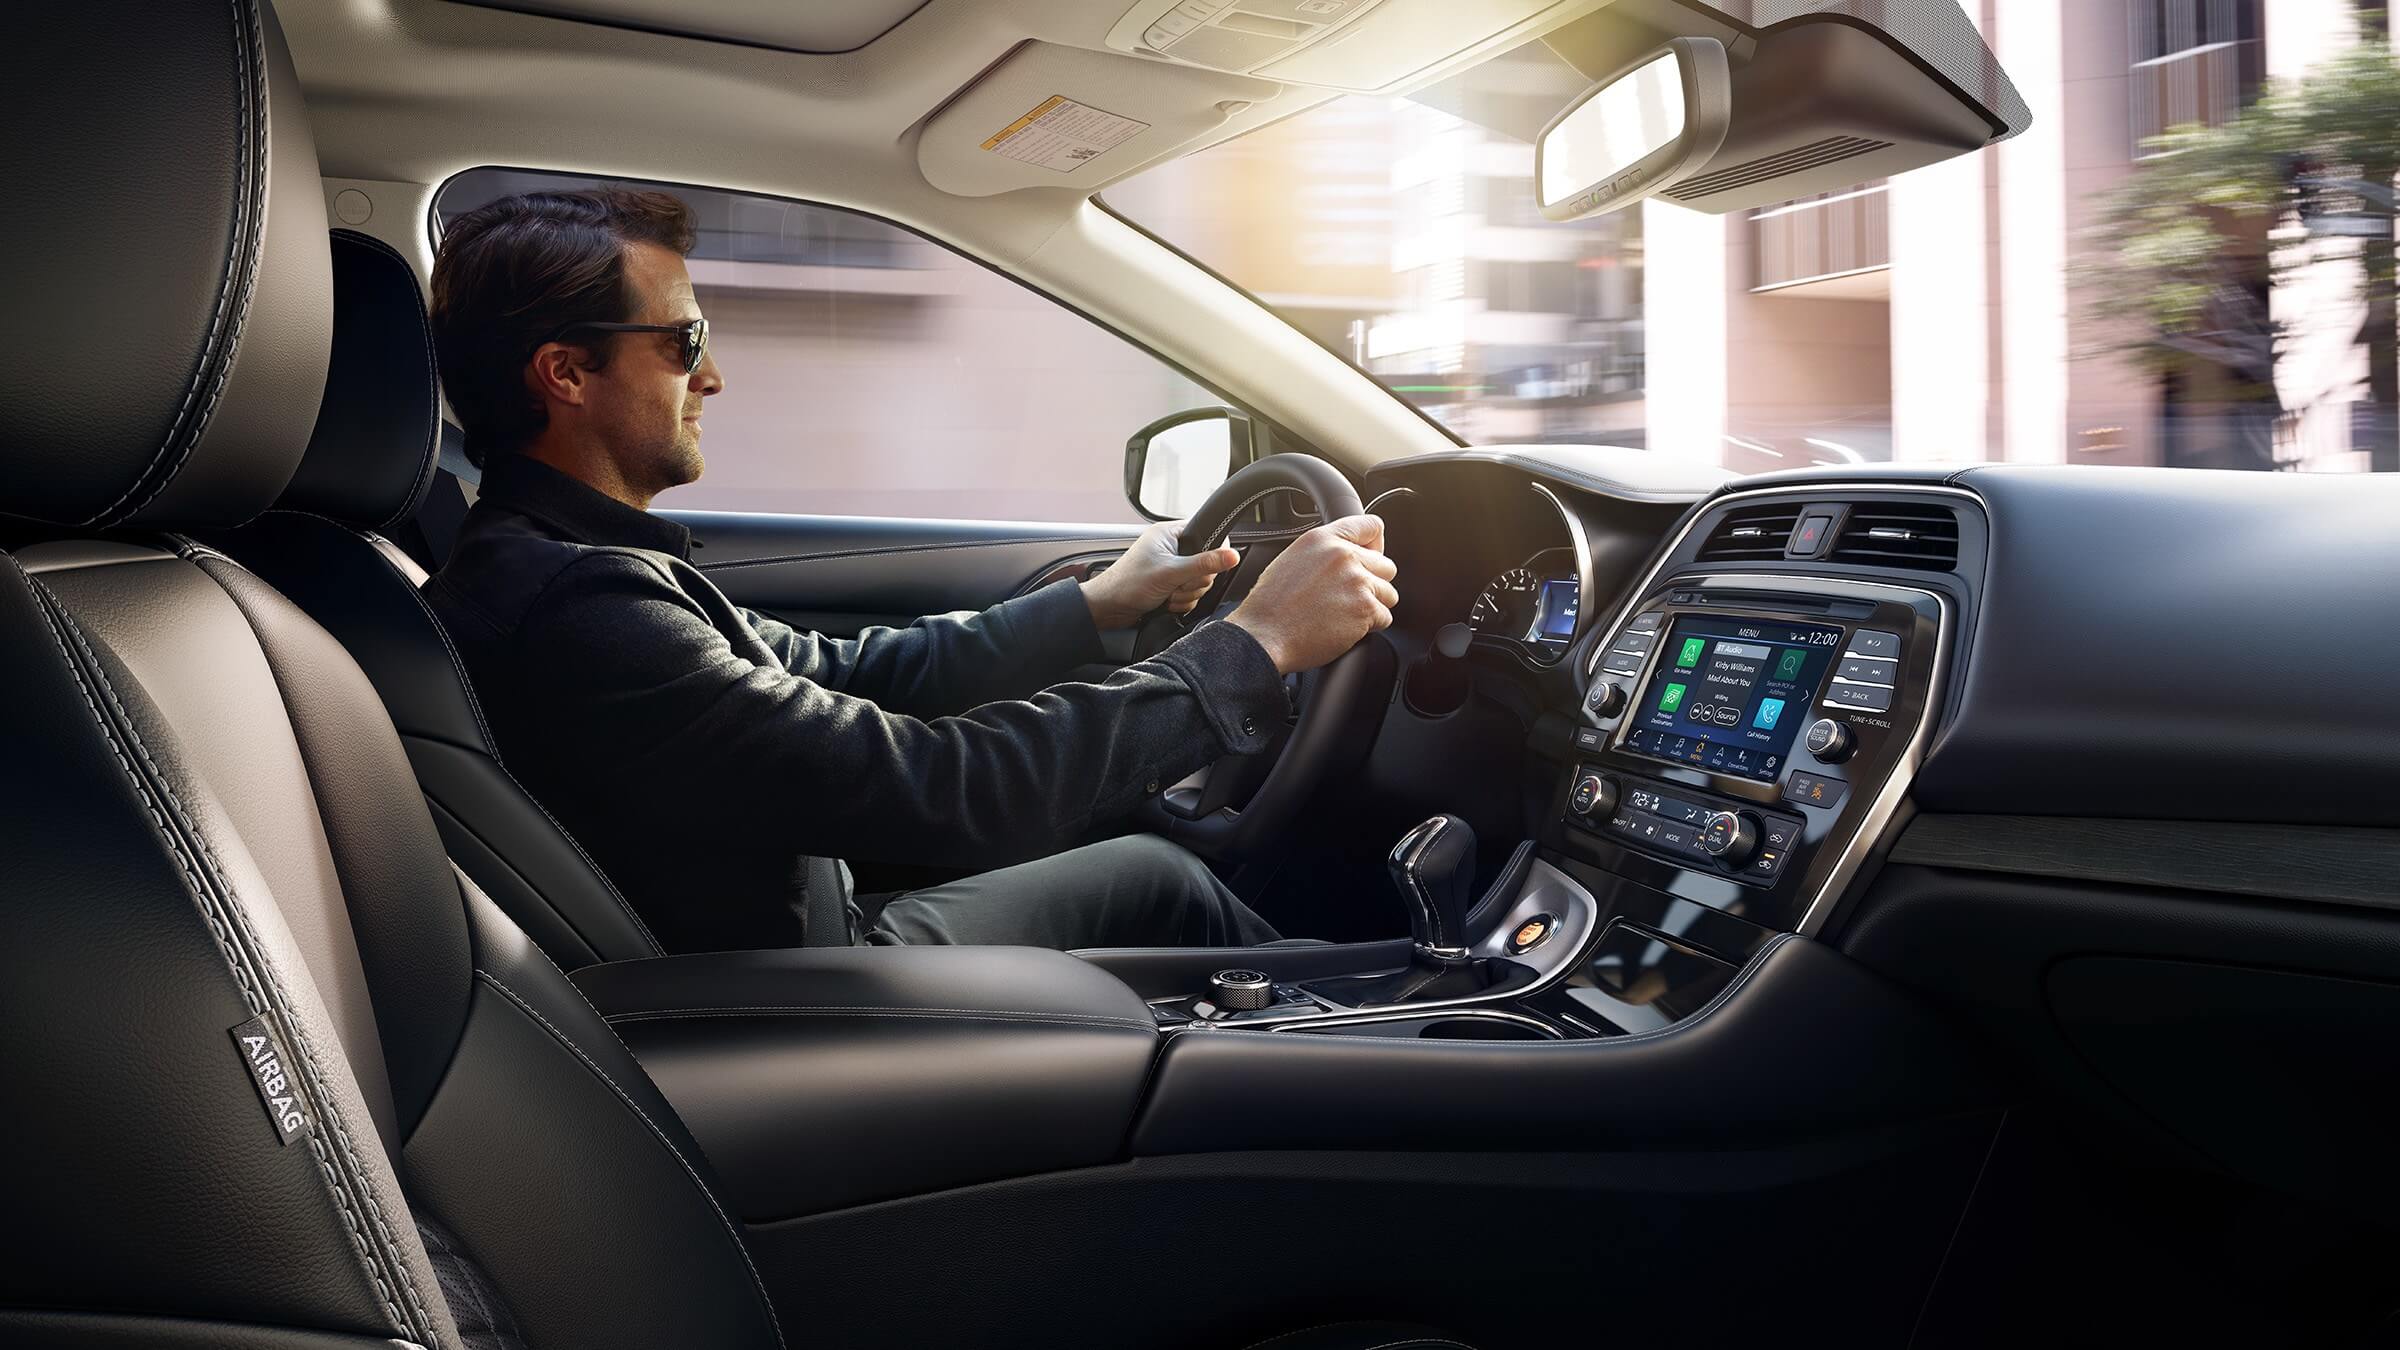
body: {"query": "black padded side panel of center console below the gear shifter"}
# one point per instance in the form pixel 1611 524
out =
pixel 1801 1044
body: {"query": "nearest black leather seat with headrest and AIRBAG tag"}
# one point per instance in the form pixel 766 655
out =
pixel 280 1075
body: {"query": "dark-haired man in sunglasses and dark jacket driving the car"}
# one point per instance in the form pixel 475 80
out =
pixel 714 758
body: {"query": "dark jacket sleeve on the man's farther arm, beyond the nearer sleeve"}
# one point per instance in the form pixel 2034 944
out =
pixel 947 664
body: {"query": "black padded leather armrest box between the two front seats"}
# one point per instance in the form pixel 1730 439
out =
pixel 844 1075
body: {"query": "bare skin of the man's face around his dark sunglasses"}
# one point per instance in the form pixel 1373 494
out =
pixel 642 405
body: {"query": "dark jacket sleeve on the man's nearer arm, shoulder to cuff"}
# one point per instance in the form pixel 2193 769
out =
pixel 637 679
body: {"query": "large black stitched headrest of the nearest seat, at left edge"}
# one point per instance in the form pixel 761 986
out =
pixel 172 294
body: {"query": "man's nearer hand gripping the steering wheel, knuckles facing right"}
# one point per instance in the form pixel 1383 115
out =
pixel 1324 595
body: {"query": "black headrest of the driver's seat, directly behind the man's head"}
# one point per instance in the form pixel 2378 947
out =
pixel 380 429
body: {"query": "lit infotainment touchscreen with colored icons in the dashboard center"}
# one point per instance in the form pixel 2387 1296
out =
pixel 1729 695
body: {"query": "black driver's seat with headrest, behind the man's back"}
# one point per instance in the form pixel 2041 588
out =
pixel 368 467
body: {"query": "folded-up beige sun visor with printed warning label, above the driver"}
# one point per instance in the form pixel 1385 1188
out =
pixel 1052 117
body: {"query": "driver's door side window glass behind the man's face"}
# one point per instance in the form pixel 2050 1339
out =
pixel 872 374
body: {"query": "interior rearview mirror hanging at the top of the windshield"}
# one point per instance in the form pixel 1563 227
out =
pixel 1636 133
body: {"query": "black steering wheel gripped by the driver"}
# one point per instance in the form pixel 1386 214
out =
pixel 1247 801
